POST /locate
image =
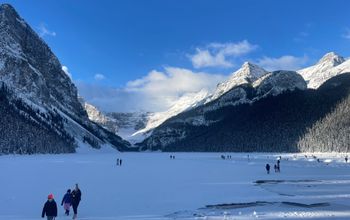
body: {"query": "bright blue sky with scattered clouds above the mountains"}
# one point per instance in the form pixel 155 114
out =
pixel 119 50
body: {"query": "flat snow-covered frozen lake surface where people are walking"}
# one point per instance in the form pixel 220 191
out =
pixel 153 186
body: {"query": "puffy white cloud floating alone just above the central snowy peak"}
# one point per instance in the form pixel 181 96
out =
pixel 220 54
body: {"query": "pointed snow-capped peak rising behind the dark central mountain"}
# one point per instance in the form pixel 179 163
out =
pixel 248 73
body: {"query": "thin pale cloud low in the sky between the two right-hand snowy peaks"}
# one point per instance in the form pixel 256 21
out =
pixel 286 62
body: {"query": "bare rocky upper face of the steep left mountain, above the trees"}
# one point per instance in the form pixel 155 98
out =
pixel 29 67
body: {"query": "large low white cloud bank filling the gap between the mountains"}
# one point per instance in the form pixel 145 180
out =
pixel 156 91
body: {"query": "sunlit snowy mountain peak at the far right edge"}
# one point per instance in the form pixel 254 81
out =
pixel 328 66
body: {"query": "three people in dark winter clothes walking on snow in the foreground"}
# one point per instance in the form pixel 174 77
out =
pixel 71 198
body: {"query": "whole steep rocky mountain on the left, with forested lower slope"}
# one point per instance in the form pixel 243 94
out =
pixel 38 90
